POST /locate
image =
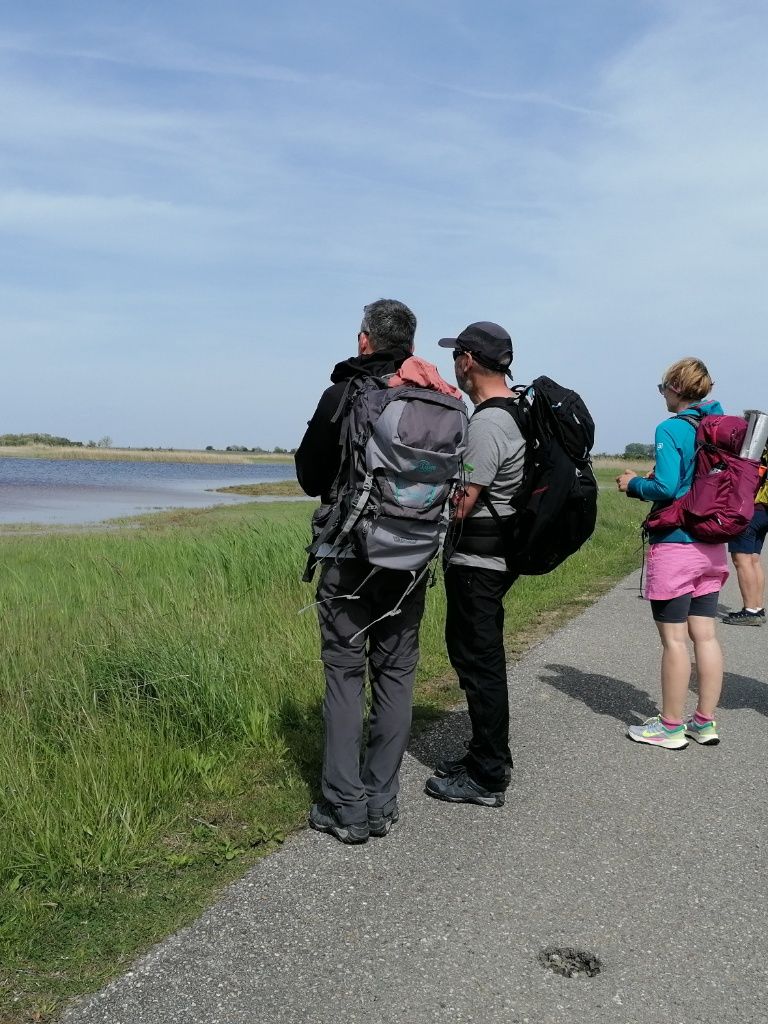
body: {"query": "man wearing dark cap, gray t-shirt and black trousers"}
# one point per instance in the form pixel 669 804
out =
pixel 477 577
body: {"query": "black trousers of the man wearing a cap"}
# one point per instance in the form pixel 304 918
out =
pixel 475 637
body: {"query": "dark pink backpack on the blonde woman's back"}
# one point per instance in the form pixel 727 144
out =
pixel 721 501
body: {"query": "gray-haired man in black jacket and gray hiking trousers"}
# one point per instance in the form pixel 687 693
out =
pixel 362 801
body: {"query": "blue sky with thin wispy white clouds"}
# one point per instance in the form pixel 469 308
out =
pixel 197 201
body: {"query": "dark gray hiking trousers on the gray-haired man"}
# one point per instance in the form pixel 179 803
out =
pixel 391 650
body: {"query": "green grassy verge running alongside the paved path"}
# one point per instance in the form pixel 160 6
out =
pixel 161 724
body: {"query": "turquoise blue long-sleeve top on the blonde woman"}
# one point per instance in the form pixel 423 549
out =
pixel 673 474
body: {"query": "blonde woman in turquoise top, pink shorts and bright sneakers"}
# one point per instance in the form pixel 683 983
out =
pixel 684 577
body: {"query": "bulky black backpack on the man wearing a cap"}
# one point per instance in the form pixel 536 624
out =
pixel 557 507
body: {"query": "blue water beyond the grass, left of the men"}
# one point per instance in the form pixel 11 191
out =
pixel 80 491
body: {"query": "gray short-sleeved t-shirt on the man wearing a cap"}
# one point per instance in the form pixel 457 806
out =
pixel 494 459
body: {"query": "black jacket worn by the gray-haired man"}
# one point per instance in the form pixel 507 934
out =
pixel 319 456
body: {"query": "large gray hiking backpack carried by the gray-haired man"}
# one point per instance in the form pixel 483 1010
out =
pixel 402 456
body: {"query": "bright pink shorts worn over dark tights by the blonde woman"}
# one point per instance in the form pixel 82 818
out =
pixel 674 570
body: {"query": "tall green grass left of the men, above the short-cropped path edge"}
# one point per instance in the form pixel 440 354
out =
pixel 132 666
